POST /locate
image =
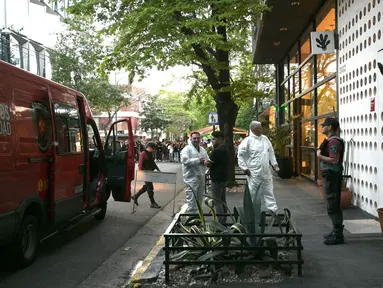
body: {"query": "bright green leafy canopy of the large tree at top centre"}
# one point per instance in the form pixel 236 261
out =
pixel 163 34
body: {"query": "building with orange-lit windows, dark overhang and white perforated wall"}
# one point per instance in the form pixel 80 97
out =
pixel 344 82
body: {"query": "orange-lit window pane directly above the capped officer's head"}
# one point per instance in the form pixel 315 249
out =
pixel 326 97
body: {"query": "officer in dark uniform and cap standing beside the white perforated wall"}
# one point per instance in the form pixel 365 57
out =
pixel 330 155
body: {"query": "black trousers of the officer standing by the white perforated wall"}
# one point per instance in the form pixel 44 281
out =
pixel 332 184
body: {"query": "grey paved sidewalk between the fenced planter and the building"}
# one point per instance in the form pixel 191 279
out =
pixel 358 263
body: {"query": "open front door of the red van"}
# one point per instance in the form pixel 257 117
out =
pixel 119 159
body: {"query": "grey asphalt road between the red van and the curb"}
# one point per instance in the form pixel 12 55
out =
pixel 67 259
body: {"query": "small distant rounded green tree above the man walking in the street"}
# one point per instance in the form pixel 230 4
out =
pixel 154 116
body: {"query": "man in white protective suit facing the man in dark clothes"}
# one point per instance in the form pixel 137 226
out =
pixel 193 158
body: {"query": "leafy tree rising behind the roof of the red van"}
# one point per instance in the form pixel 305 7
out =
pixel 75 65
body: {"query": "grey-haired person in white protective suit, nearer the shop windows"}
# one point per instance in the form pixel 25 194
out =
pixel 254 154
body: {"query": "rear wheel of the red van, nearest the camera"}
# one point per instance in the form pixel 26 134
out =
pixel 26 243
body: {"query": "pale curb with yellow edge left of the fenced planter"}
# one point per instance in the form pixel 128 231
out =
pixel 152 264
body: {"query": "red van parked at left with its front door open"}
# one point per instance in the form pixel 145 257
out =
pixel 54 170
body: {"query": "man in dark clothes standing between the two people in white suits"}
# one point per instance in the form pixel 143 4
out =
pixel 219 163
